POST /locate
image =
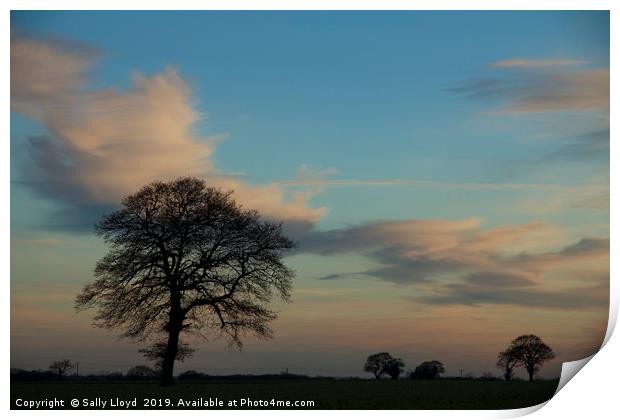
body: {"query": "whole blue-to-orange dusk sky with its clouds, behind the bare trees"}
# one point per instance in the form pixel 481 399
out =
pixel 446 174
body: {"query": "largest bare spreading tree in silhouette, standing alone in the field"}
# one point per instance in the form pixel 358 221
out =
pixel 186 258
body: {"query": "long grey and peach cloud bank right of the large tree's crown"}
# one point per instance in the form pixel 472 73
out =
pixel 510 264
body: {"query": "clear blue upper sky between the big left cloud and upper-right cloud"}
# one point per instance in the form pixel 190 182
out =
pixel 371 88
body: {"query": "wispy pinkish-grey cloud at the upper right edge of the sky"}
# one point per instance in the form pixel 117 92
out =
pixel 558 92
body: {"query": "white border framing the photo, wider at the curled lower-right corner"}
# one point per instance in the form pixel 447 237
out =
pixel 592 394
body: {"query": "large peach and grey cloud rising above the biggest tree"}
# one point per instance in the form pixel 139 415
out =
pixel 105 143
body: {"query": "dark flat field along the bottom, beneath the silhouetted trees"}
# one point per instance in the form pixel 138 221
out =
pixel 326 393
